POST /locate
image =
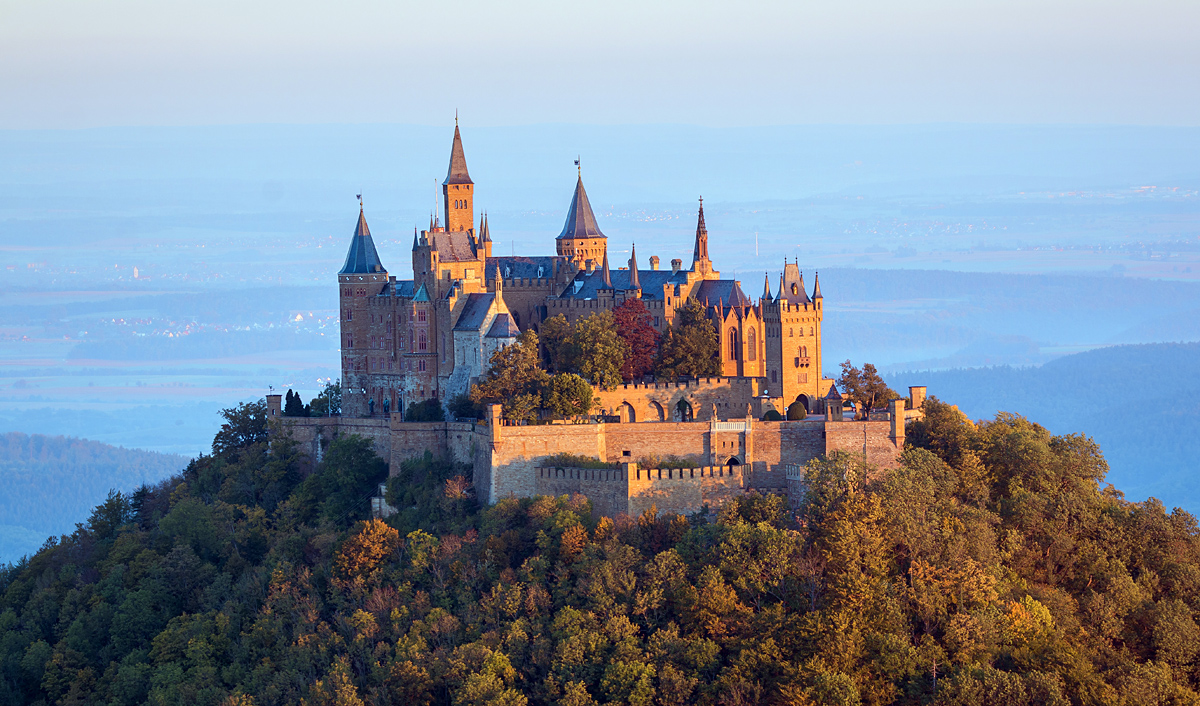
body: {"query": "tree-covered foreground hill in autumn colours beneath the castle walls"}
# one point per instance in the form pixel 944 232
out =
pixel 994 567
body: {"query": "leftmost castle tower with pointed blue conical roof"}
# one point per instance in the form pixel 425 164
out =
pixel 362 277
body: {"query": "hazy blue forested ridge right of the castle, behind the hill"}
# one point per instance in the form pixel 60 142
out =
pixel 1142 404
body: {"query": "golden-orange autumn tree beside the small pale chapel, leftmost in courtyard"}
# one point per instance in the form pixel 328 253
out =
pixel 514 379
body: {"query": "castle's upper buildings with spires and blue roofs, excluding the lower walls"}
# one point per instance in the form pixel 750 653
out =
pixel 407 342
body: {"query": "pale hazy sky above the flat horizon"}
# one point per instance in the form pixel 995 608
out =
pixel 91 63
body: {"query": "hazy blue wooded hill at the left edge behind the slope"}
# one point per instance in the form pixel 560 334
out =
pixel 50 483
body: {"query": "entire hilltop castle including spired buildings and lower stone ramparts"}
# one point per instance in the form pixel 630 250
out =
pixel 431 338
